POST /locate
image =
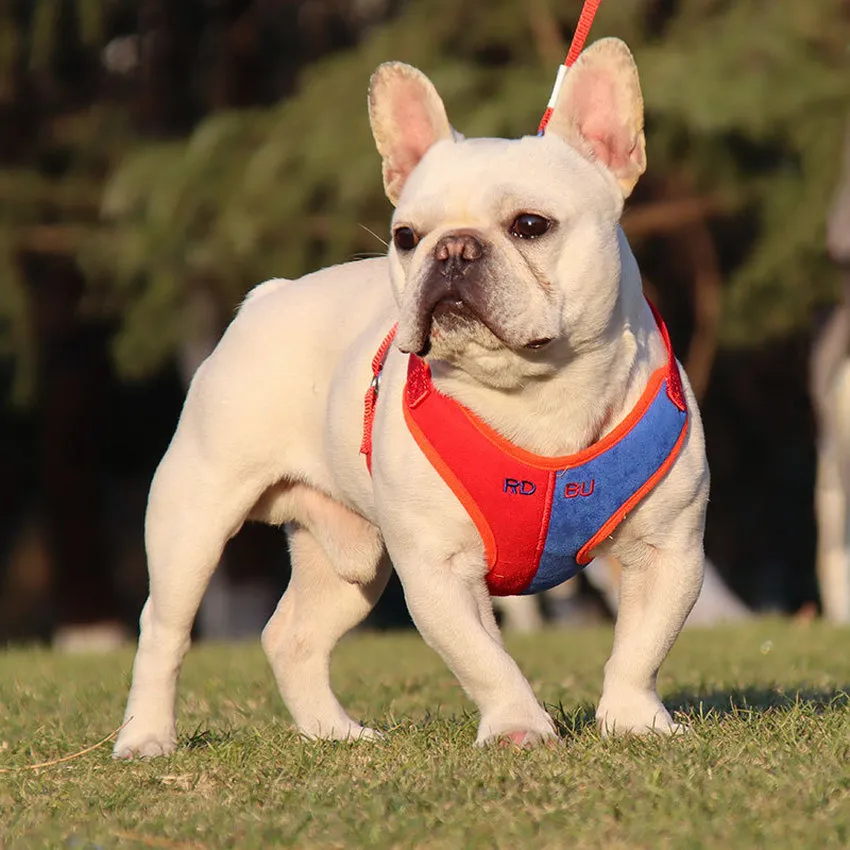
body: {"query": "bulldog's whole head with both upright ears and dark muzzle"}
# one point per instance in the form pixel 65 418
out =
pixel 508 253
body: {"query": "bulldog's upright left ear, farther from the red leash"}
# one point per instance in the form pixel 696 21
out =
pixel 407 117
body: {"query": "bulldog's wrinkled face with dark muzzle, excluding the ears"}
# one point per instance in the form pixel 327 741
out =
pixel 496 241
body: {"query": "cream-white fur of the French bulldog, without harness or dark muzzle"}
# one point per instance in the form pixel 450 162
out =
pixel 272 424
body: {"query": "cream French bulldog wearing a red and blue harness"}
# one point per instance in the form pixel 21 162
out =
pixel 519 317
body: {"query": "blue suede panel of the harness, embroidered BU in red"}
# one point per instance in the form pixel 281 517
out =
pixel 600 487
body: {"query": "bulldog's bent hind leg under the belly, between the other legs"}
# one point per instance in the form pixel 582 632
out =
pixel 317 609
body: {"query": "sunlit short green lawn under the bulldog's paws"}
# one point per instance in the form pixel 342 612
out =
pixel 766 763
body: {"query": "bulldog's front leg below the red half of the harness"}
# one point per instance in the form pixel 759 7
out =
pixel 449 605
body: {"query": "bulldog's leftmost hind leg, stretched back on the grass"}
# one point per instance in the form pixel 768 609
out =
pixel 192 512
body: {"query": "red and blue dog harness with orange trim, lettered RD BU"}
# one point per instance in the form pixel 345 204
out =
pixel 540 517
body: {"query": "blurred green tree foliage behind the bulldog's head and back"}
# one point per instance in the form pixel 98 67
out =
pixel 745 106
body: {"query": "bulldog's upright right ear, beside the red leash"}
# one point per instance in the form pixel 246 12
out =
pixel 599 111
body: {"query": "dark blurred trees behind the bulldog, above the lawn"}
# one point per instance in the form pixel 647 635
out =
pixel 160 157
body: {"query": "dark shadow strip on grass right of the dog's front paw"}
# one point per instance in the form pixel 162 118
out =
pixel 722 701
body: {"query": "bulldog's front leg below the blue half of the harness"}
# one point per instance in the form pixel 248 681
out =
pixel 658 588
